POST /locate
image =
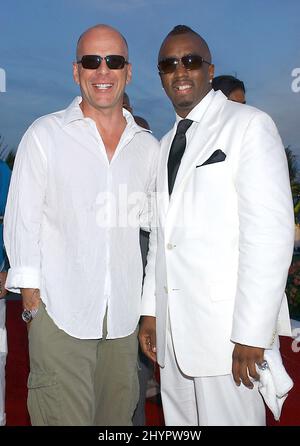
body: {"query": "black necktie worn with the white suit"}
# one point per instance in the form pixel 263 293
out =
pixel 176 151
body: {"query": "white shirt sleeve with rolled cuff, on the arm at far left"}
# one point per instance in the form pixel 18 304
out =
pixel 24 213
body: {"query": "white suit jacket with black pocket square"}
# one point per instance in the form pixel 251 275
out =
pixel 219 258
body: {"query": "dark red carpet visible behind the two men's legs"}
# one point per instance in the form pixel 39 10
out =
pixel 17 372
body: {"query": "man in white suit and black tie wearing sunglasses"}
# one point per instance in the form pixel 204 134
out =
pixel 213 297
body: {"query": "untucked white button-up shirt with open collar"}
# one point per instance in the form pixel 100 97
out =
pixel 72 221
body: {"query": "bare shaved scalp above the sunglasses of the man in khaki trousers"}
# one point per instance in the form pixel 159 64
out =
pixel 103 31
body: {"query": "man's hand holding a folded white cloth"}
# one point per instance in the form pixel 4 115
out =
pixel 244 359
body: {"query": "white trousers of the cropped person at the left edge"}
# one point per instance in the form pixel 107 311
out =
pixel 3 353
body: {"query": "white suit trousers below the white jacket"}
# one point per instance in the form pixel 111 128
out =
pixel 206 401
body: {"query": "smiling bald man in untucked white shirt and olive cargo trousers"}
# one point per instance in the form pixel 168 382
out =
pixel 73 218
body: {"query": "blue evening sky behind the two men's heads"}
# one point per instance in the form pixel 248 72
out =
pixel 258 40
